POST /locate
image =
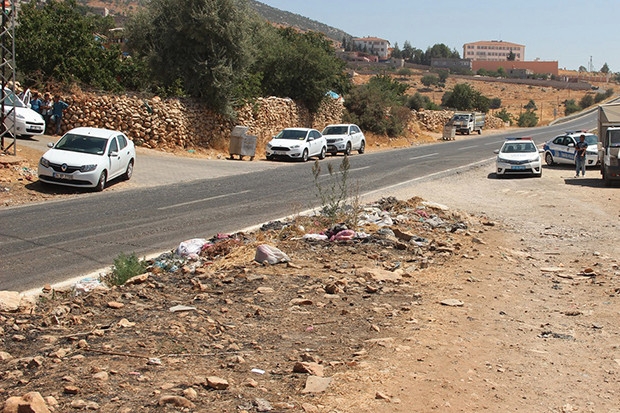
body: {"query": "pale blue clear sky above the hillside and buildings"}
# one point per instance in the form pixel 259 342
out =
pixel 572 32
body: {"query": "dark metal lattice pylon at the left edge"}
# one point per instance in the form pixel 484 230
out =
pixel 7 75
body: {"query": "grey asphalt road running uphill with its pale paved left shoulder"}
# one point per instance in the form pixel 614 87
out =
pixel 172 199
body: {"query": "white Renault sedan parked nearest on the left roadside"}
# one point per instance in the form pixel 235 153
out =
pixel 88 158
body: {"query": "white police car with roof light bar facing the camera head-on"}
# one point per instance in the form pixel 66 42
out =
pixel 518 156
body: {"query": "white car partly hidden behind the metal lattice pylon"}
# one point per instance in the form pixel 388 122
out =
pixel 18 115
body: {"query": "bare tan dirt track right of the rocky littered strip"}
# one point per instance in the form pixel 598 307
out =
pixel 534 333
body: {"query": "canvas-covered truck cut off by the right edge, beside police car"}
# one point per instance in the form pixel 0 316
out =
pixel 609 141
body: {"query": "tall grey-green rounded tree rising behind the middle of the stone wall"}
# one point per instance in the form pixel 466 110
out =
pixel 217 46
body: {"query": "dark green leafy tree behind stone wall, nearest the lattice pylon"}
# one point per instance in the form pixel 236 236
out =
pixel 57 42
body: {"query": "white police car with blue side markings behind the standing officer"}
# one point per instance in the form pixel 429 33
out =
pixel 561 149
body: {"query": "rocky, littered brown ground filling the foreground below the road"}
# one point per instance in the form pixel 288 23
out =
pixel 504 299
